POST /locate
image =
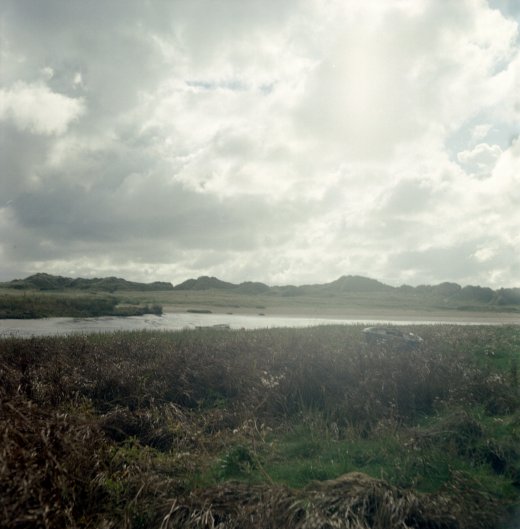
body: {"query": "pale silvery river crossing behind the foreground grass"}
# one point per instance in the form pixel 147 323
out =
pixel 179 321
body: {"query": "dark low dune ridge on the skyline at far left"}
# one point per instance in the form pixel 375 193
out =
pixel 107 284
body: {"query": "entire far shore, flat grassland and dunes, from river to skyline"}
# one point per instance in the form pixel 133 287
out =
pixel 44 295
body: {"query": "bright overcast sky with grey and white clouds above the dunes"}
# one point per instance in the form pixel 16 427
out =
pixel 286 142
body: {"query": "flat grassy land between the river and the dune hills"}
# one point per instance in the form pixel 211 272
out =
pixel 386 305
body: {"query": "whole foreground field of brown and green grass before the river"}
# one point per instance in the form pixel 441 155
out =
pixel 184 429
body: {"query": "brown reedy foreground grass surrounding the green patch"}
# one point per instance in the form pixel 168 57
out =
pixel 103 431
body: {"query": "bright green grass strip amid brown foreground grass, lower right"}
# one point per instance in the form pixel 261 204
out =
pixel 410 459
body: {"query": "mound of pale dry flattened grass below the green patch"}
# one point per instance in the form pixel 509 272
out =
pixel 352 501
